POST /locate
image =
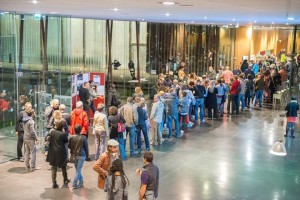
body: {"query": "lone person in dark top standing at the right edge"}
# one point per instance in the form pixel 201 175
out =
pixel 291 114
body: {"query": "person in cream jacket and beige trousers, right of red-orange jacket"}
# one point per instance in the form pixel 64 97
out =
pixel 100 130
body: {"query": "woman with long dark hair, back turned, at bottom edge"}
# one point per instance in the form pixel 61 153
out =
pixel 116 184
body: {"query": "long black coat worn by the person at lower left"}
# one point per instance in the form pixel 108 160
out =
pixel 57 155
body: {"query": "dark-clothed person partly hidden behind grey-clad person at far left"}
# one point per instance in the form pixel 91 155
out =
pixel 20 129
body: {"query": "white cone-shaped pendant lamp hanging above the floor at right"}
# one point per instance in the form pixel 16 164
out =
pixel 278 148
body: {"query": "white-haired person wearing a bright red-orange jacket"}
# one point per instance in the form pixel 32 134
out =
pixel 79 116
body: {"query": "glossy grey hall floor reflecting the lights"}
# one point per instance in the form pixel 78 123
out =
pixel 221 159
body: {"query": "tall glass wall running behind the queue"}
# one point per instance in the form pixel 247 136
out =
pixel 38 55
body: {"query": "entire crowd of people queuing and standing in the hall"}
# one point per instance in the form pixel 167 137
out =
pixel 182 102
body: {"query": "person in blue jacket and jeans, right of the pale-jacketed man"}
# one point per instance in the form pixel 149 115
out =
pixel 172 103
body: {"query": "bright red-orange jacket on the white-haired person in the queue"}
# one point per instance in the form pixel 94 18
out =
pixel 80 117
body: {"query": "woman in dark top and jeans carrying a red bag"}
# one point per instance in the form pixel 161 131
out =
pixel 116 123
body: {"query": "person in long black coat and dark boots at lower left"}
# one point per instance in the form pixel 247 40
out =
pixel 57 155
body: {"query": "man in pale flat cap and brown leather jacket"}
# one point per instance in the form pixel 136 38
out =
pixel 103 164
